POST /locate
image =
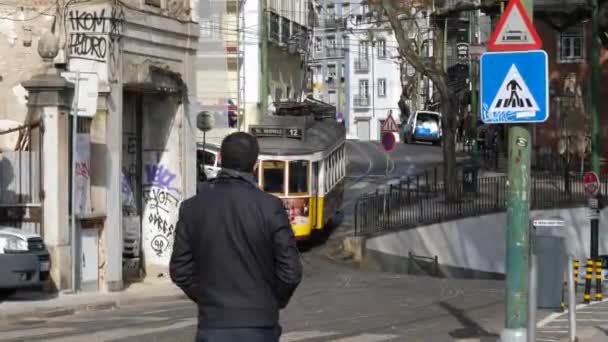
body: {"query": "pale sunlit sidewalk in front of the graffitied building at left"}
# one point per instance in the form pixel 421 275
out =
pixel 37 304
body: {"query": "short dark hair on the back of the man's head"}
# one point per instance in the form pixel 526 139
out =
pixel 239 152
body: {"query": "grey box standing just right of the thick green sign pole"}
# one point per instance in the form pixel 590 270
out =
pixel 550 251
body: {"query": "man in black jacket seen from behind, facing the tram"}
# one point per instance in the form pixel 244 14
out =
pixel 234 253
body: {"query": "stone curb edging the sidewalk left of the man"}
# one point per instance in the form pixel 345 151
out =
pixel 68 310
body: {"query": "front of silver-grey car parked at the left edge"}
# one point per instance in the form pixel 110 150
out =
pixel 24 261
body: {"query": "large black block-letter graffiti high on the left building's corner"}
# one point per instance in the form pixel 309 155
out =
pixel 93 32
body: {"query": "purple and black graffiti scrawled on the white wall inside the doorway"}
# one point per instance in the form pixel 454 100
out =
pixel 161 200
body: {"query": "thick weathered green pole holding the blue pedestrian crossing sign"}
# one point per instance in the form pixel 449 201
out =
pixel 518 225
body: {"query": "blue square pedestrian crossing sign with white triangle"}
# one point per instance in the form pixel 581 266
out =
pixel 514 87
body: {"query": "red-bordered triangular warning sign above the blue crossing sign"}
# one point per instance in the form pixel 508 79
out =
pixel 515 31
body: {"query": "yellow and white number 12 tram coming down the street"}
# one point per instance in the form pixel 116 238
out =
pixel 302 161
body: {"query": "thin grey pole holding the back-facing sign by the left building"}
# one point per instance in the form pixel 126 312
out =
pixel 73 249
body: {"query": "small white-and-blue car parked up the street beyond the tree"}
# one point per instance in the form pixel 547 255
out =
pixel 423 126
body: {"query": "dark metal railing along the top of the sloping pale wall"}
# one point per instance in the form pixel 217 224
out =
pixel 421 200
